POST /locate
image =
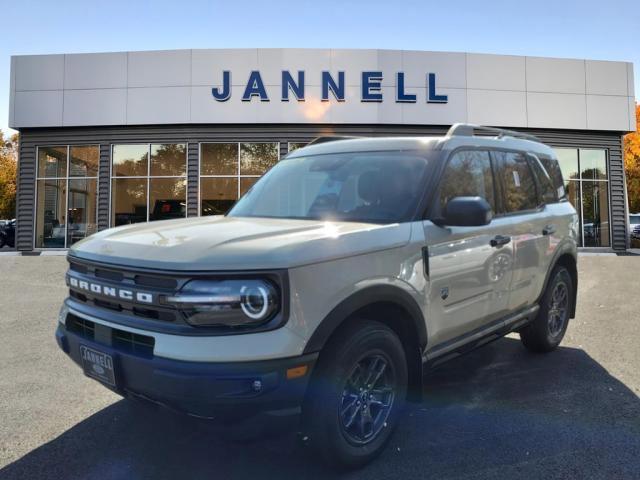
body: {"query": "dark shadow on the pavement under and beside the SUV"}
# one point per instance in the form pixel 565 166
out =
pixel 499 412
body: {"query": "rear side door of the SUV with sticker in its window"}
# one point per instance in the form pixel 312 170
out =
pixel 529 225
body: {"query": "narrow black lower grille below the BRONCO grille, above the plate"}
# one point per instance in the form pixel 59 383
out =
pixel 141 345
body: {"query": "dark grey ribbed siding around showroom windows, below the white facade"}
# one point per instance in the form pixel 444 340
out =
pixel 299 133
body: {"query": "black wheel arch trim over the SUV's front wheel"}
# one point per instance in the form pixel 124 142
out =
pixel 391 306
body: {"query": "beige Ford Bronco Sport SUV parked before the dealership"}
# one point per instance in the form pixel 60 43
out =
pixel 349 269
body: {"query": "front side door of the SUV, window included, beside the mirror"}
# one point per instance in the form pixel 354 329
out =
pixel 469 278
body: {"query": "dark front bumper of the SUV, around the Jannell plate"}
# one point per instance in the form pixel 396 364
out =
pixel 225 391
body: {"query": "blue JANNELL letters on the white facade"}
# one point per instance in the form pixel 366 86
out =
pixel 290 86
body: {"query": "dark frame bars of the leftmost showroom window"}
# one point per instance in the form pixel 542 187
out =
pixel 66 179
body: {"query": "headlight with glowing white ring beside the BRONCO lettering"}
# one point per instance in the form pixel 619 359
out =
pixel 230 303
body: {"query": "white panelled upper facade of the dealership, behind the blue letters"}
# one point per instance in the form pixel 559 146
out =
pixel 174 87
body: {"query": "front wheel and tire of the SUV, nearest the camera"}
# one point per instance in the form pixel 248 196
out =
pixel 344 417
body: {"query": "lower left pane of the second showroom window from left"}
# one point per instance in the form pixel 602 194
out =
pixel 128 201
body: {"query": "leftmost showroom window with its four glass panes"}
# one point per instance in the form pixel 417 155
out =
pixel 66 208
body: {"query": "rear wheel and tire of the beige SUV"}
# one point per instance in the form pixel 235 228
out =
pixel 546 332
